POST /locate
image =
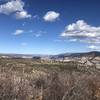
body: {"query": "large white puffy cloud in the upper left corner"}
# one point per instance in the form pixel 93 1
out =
pixel 15 6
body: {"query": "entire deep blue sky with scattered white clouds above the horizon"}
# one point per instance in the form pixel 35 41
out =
pixel 49 26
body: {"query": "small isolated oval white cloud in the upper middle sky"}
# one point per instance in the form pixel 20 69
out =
pixel 51 16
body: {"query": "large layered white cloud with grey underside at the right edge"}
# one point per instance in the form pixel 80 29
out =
pixel 82 32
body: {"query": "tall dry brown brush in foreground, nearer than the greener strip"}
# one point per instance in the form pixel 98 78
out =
pixel 50 85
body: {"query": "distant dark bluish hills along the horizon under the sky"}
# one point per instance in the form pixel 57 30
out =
pixel 94 53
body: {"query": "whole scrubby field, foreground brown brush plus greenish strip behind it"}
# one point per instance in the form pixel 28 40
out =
pixel 26 79
